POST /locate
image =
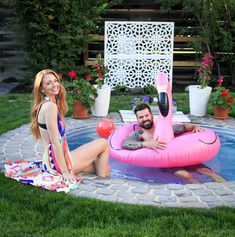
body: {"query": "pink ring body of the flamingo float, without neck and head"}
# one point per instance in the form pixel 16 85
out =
pixel 184 150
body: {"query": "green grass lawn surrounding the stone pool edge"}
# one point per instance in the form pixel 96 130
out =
pixel 30 211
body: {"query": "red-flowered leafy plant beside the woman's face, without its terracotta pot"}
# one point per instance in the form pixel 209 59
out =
pixel 80 88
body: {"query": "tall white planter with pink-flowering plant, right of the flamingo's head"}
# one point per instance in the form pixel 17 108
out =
pixel 199 95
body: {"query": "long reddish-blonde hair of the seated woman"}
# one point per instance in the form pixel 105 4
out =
pixel 39 97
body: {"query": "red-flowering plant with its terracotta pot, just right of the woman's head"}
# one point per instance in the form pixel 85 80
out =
pixel 83 93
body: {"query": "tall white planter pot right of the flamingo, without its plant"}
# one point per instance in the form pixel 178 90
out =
pixel 198 99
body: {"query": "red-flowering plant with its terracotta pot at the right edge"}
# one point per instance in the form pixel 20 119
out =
pixel 221 101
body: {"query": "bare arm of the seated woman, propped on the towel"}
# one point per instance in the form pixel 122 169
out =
pixel 51 114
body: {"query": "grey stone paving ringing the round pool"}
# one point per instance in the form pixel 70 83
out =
pixel 19 144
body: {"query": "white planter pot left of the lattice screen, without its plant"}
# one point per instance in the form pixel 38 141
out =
pixel 101 106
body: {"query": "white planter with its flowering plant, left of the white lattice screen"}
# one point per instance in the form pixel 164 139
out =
pixel 99 74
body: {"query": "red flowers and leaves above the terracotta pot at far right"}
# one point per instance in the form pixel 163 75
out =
pixel 221 97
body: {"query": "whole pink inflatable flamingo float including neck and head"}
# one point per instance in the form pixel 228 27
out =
pixel 184 150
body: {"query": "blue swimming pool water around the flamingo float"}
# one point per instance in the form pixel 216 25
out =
pixel 223 164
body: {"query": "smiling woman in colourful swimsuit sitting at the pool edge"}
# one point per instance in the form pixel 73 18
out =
pixel 48 111
